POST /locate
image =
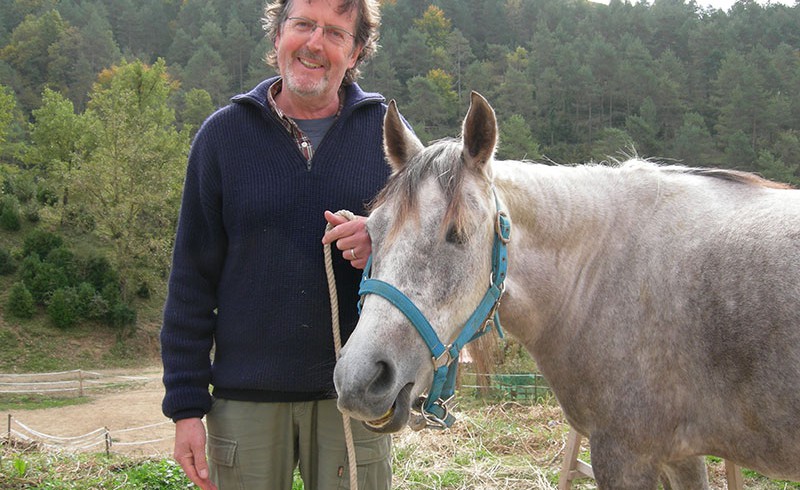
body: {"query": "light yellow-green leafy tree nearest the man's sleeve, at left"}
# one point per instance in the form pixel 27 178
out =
pixel 131 180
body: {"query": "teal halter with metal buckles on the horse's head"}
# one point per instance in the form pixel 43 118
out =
pixel 433 407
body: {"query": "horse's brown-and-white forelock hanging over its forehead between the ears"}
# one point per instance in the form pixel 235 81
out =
pixel 441 160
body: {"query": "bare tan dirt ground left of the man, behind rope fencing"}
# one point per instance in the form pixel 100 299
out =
pixel 137 407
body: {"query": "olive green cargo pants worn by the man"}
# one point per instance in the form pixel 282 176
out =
pixel 257 446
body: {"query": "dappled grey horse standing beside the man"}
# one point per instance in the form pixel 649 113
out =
pixel 662 303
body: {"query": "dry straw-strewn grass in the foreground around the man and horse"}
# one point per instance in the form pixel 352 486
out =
pixel 507 446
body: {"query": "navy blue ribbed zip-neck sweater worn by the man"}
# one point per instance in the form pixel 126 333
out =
pixel 248 275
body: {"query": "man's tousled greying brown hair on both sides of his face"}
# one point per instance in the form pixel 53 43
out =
pixel 367 22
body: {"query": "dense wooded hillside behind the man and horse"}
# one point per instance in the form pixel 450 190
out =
pixel 99 99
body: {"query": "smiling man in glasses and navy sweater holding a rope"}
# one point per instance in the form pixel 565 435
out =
pixel 248 277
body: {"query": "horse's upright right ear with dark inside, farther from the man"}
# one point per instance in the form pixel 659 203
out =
pixel 479 132
